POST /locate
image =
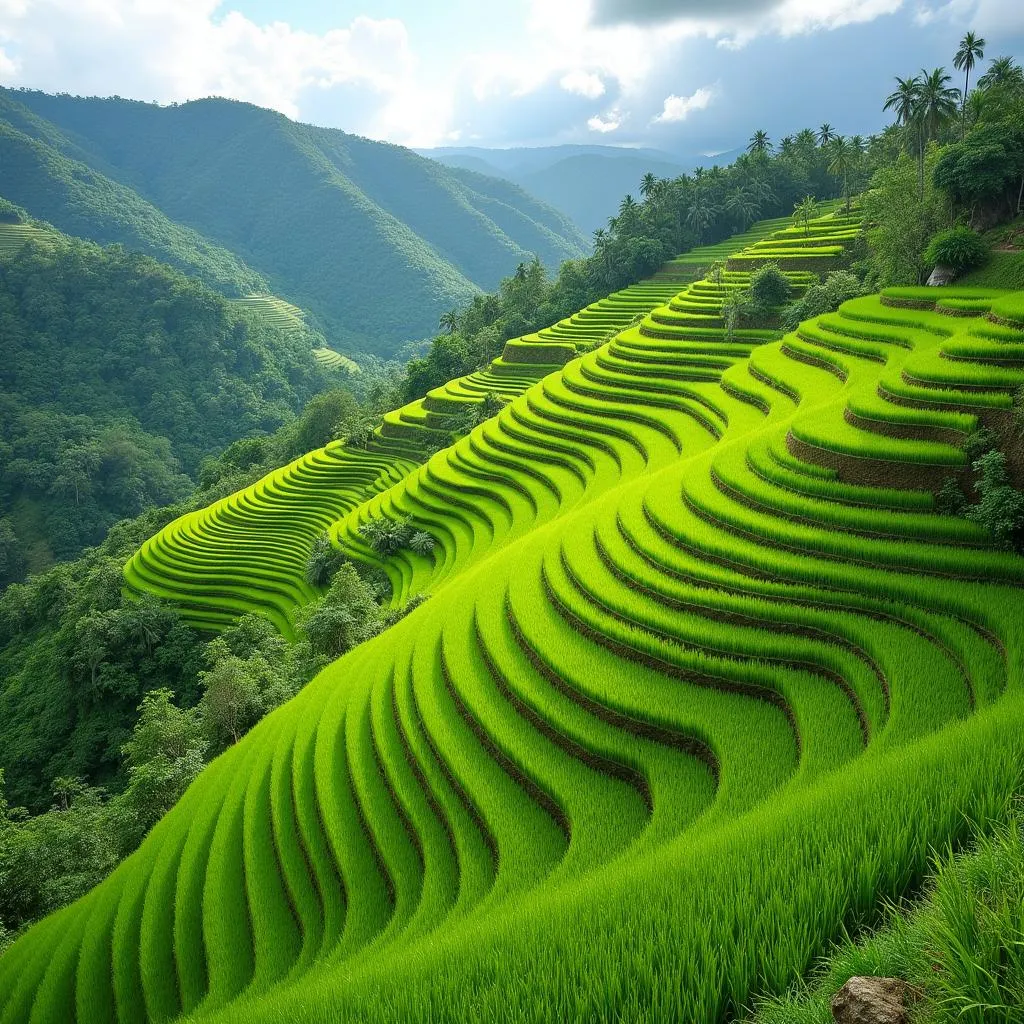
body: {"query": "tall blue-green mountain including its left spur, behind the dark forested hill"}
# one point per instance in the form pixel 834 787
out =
pixel 249 201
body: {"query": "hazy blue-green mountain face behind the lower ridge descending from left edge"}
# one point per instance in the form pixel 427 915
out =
pixel 332 222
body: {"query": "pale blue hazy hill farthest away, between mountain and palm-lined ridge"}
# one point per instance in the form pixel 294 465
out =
pixel 586 183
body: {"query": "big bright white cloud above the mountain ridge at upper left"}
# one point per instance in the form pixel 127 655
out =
pixel 175 51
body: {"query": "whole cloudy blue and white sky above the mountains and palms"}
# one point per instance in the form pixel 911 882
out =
pixel 685 76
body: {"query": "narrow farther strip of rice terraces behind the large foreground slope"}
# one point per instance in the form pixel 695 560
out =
pixel 247 552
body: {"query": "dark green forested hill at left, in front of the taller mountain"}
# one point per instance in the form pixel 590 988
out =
pixel 119 375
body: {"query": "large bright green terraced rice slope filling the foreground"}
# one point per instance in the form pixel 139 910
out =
pixel 704 675
